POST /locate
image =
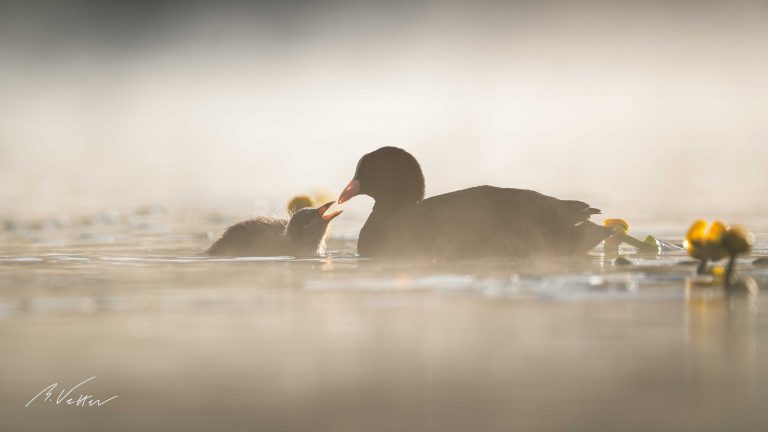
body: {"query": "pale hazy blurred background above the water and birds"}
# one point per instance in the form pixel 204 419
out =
pixel 217 105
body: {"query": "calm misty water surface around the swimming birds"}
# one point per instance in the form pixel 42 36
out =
pixel 341 343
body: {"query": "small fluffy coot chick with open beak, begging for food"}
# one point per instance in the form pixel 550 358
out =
pixel 302 235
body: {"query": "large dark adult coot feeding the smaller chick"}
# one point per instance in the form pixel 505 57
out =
pixel 483 221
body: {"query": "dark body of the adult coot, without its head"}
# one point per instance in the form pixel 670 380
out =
pixel 484 221
